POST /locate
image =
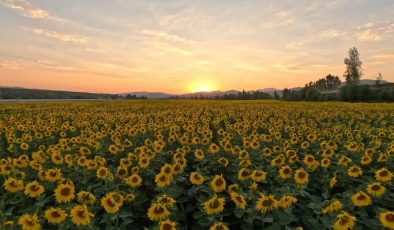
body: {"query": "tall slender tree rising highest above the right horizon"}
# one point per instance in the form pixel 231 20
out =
pixel 353 64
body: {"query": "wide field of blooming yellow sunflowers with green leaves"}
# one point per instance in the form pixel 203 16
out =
pixel 196 165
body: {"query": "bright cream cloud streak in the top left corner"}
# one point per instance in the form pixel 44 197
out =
pixel 28 10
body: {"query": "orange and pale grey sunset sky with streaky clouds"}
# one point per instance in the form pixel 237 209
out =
pixel 180 46
